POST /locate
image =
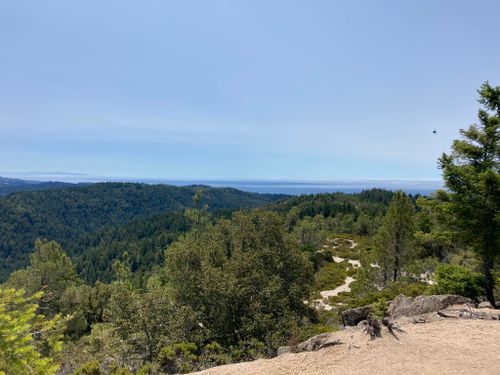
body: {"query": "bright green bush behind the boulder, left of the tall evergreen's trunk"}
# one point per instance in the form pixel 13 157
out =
pixel 456 279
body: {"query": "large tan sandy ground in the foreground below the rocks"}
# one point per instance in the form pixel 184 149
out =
pixel 440 347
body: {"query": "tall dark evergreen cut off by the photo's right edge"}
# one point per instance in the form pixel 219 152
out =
pixel 471 173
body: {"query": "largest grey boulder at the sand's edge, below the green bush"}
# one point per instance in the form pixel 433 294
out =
pixel 407 306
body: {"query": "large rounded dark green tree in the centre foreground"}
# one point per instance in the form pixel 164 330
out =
pixel 245 278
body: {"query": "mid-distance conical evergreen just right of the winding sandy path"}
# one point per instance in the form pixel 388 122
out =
pixel 394 238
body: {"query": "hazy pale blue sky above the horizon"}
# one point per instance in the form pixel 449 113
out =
pixel 240 89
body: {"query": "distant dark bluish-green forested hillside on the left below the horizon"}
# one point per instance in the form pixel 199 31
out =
pixel 68 214
